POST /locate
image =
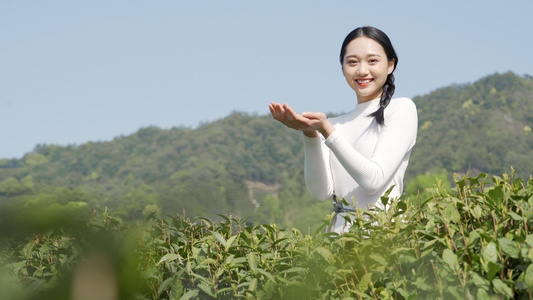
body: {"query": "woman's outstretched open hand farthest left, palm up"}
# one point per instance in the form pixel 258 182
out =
pixel 288 117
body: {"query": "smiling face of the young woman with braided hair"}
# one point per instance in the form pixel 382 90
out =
pixel 366 67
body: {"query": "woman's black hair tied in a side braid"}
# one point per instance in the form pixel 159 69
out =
pixel 389 87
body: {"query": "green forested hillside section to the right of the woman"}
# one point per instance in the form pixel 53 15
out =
pixel 479 127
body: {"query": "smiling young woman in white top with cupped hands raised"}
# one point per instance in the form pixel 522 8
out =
pixel 360 155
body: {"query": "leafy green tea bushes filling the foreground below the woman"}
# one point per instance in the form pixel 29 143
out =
pixel 470 242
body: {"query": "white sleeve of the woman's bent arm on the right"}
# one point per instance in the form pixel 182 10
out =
pixel 394 143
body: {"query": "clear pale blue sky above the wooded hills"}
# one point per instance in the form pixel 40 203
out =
pixel 79 71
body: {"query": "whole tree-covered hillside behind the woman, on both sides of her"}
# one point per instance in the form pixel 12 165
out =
pixel 252 167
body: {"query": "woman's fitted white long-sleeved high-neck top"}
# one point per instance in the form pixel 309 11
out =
pixel 361 159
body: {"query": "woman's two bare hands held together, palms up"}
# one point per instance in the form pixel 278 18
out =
pixel 308 123
